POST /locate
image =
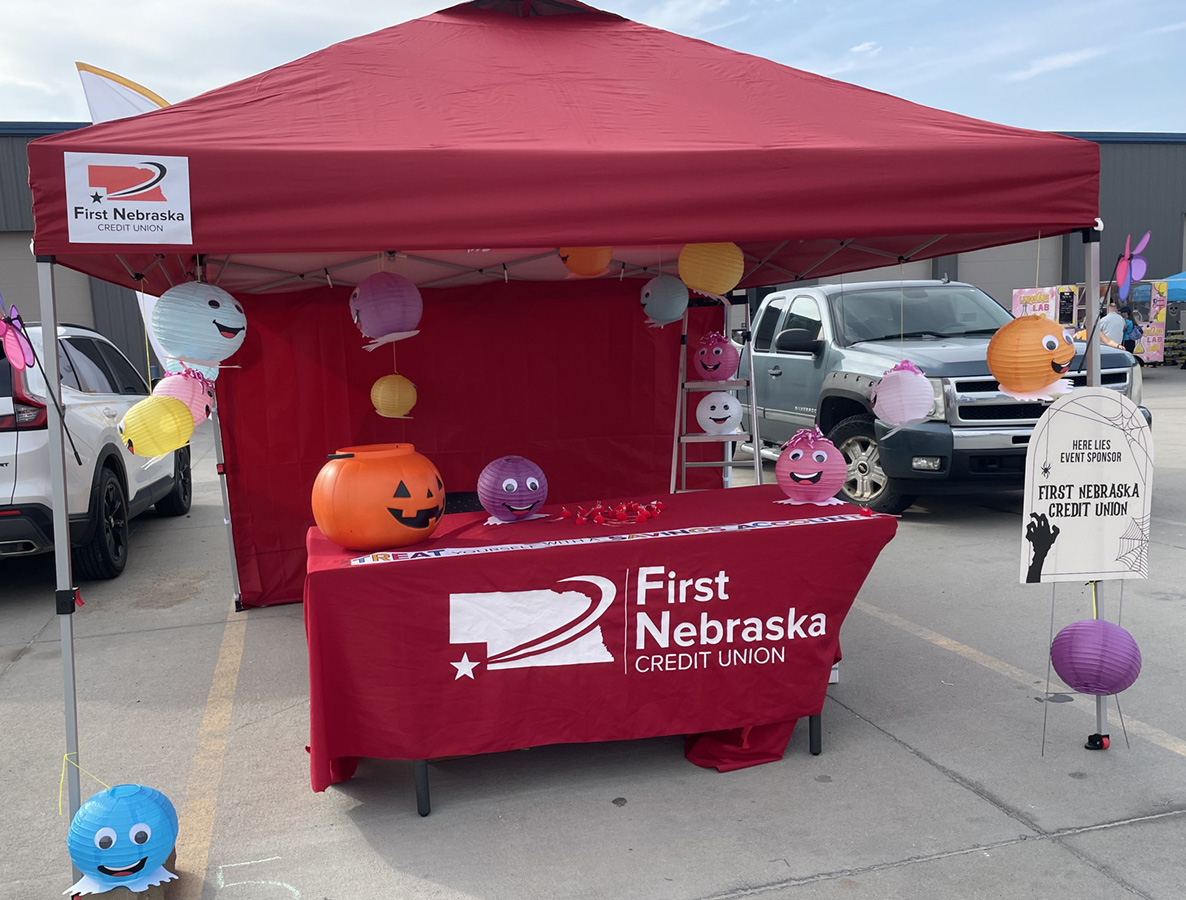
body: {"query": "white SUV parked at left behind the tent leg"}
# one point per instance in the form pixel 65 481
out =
pixel 106 486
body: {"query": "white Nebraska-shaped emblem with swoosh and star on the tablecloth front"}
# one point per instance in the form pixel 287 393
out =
pixel 533 628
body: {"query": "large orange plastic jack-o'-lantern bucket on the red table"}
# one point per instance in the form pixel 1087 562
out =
pixel 378 496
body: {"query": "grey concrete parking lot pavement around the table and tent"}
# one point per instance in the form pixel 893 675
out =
pixel 947 771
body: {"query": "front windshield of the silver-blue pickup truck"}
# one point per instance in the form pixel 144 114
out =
pixel 933 311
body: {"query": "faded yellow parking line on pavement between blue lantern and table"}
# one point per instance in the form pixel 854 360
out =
pixel 196 820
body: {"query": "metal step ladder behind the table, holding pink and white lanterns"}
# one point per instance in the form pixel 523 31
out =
pixel 683 438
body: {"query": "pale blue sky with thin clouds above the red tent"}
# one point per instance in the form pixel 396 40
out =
pixel 1091 66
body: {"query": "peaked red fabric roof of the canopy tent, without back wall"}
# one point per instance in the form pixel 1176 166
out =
pixel 520 133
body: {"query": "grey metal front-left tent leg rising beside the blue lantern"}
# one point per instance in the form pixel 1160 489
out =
pixel 65 595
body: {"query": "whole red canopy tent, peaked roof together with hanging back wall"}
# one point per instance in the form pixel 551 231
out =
pixel 462 150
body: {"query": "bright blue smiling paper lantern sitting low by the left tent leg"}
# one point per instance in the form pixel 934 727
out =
pixel 122 838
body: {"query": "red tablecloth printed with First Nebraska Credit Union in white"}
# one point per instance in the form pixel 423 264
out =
pixel 723 614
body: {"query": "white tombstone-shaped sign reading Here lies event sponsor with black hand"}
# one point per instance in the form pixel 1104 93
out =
pixel 1089 473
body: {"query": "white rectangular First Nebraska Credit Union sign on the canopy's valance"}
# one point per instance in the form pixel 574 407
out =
pixel 120 199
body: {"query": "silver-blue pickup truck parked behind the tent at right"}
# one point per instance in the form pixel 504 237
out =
pixel 820 350
